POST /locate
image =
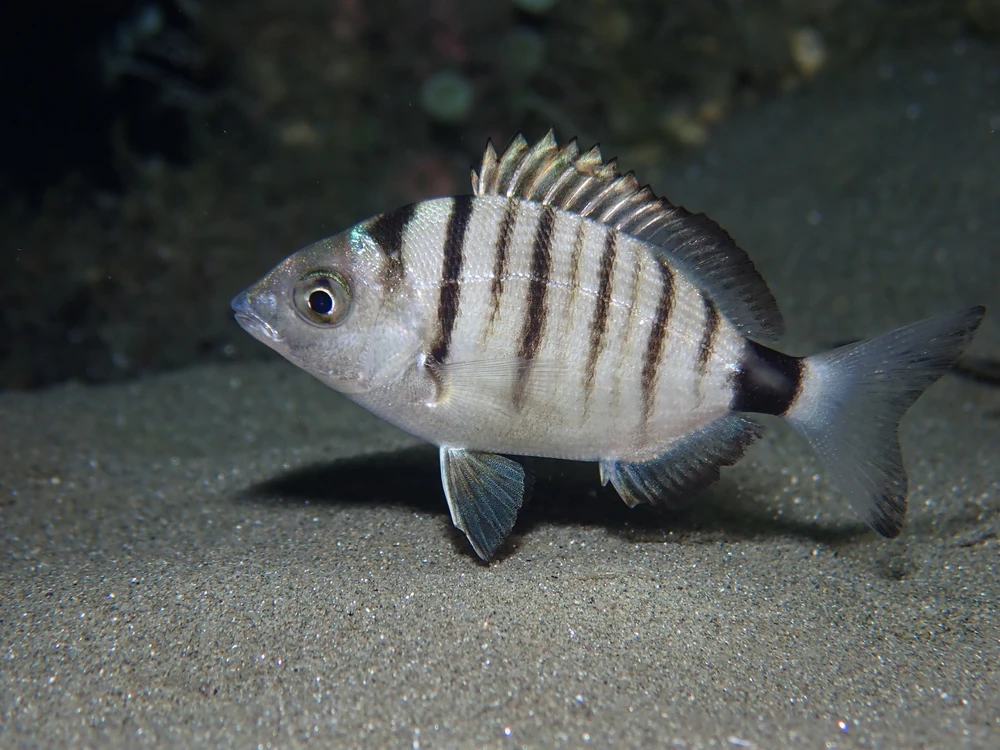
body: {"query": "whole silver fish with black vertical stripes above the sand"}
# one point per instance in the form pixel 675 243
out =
pixel 563 310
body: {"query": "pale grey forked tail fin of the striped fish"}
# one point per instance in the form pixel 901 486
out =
pixel 851 400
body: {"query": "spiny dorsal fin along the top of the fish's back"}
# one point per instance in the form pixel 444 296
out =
pixel 587 185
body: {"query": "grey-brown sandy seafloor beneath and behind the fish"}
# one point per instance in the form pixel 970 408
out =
pixel 237 556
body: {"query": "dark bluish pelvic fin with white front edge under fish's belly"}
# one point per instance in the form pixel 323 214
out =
pixel 484 492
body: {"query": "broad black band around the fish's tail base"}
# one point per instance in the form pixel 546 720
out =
pixel 767 381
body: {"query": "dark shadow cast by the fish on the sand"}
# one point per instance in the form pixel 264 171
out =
pixel 565 493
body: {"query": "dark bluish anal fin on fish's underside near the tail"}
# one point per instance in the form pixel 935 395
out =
pixel 691 464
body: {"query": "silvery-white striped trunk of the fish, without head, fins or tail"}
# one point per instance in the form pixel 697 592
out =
pixel 601 352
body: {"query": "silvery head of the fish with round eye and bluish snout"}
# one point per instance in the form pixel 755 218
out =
pixel 340 309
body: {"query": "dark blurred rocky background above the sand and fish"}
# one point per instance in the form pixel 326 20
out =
pixel 159 155
